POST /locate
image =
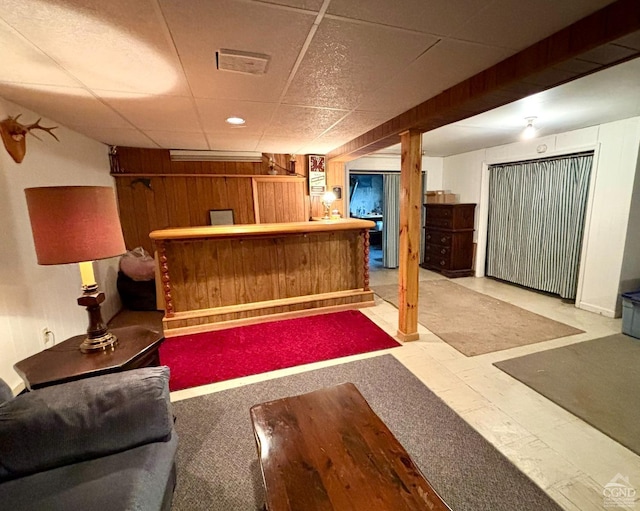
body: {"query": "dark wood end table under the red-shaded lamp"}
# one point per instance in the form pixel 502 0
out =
pixel 137 347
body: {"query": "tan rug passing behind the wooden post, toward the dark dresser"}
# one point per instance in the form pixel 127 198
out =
pixel 475 323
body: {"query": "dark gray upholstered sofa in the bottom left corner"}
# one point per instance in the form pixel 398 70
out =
pixel 105 443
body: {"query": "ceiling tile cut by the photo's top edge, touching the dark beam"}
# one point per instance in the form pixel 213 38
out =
pixel 515 24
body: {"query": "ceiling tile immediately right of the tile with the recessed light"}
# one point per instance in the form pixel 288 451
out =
pixel 303 122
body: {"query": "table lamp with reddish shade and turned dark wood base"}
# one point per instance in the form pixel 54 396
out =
pixel 78 224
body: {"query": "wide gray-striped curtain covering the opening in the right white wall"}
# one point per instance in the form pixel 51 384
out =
pixel 536 222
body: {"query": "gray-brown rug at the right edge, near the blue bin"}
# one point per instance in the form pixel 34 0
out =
pixel 599 381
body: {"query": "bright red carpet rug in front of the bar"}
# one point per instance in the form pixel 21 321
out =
pixel 210 357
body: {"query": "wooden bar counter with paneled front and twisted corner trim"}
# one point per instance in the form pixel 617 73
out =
pixel 215 277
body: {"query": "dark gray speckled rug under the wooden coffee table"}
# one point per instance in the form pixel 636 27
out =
pixel 217 460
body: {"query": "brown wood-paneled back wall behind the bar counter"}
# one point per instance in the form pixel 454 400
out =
pixel 157 193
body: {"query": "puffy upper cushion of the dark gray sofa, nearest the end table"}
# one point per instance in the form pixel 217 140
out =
pixel 84 419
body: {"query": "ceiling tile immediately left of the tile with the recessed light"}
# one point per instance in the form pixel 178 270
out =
pixel 161 113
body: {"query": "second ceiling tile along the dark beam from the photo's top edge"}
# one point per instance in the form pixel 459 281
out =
pixel 434 72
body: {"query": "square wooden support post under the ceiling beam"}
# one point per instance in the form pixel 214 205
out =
pixel 410 205
